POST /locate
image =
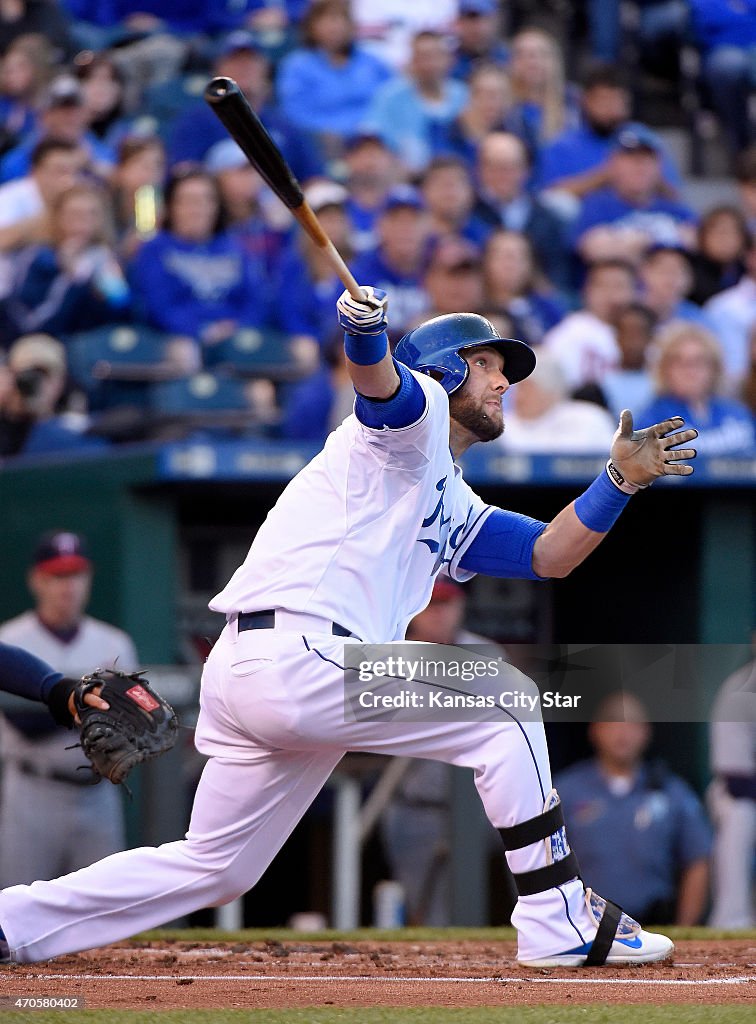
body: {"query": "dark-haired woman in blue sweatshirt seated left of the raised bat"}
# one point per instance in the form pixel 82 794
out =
pixel 193 279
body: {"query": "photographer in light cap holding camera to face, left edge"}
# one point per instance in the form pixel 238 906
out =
pixel 38 411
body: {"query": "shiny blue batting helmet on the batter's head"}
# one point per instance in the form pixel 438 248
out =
pixel 436 348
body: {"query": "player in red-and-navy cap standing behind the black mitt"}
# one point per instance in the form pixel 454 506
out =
pixel 72 825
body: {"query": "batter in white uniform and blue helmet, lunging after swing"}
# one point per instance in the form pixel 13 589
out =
pixel 348 554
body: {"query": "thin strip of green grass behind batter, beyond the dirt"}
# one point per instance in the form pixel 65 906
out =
pixel 398 935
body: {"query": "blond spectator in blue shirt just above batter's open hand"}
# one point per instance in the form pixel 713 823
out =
pixel 689 373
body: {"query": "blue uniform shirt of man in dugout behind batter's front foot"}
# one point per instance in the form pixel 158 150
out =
pixel 632 848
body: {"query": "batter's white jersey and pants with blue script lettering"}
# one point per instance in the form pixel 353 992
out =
pixel 356 539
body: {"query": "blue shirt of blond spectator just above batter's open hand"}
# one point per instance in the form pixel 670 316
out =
pixel 726 426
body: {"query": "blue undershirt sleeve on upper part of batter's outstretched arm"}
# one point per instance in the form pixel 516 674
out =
pixel 503 546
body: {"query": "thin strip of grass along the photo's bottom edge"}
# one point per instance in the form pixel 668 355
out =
pixel 595 1014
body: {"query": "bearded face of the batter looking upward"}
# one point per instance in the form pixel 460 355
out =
pixel 478 404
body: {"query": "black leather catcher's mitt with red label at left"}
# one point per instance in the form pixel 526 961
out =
pixel 139 726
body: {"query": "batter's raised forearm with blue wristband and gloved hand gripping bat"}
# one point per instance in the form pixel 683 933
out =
pixel 368 356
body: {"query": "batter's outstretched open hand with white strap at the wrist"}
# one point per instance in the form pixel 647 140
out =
pixel 640 457
